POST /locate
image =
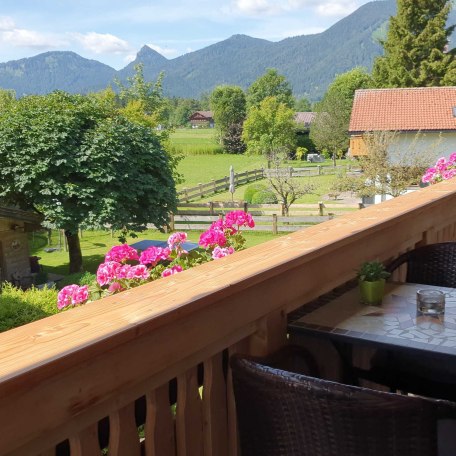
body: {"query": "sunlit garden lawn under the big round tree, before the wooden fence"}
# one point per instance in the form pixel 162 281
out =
pixel 95 244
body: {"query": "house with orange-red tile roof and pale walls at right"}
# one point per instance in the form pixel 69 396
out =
pixel 428 111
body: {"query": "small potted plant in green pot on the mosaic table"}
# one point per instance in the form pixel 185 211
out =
pixel 371 276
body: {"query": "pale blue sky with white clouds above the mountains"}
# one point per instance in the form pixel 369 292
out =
pixel 113 31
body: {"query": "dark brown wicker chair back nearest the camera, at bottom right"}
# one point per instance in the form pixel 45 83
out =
pixel 287 414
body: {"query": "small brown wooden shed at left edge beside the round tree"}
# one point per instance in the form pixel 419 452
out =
pixel 14 250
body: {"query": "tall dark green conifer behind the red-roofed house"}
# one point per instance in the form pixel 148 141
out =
pixel 416 48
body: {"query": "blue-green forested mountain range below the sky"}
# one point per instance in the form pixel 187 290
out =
pixel 309 62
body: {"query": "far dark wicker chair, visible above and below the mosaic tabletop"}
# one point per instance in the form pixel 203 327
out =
pixel 433 264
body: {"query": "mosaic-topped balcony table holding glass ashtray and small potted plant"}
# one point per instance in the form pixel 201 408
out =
pixel 392 326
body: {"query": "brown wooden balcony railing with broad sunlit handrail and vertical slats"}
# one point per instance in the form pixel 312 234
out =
pixel 60 376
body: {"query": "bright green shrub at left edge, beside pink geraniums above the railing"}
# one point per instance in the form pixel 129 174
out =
pixel 18 307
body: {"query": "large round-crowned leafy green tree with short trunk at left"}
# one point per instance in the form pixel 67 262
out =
pixel 81 163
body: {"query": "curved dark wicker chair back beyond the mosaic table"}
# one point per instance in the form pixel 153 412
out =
pixel 433 264
